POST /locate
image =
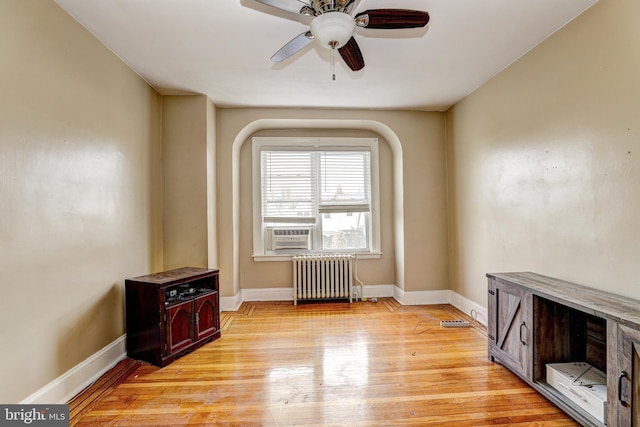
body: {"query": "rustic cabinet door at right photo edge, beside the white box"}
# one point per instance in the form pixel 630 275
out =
pixel 627 387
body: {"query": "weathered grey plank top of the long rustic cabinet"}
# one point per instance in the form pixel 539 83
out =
pixel 593 301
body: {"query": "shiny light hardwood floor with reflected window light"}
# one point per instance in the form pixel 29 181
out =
pixel 325 364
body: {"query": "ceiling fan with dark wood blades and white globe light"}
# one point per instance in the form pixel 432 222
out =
pixel 333 26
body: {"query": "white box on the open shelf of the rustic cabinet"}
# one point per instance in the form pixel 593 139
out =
pixel 583 384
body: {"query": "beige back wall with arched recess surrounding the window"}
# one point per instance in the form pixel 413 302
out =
pixel 423 262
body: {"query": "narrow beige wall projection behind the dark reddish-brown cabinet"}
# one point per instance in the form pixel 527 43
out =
pixel 188 145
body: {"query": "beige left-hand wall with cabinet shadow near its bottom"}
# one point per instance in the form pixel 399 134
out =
pixel 79 191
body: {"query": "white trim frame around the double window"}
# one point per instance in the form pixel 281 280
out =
pixel 341 143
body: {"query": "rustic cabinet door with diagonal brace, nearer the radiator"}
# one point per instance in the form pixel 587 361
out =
pixel 510 327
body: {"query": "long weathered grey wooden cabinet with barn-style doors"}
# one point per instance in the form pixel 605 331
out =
pixel 536 323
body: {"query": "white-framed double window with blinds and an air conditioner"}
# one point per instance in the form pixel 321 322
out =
pixel 315 195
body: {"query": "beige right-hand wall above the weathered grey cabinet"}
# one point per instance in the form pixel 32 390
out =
pixel 544 161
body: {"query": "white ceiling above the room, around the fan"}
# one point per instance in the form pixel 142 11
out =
pixel 221 48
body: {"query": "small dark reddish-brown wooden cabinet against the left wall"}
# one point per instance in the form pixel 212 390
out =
pixel 171 313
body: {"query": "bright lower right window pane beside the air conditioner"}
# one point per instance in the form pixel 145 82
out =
pixel 343 231
